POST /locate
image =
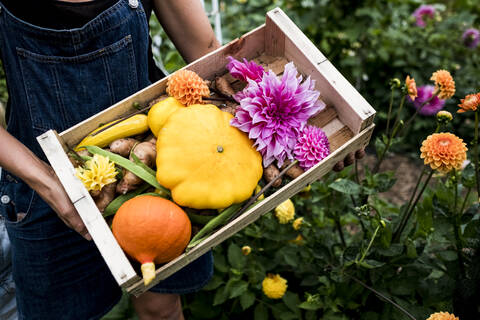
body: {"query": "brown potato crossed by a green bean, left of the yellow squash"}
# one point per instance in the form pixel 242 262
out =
pixel 146 153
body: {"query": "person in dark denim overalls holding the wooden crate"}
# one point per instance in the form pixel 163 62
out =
pixel 64 62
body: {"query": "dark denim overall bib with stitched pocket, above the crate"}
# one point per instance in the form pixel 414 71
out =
pixel 57 78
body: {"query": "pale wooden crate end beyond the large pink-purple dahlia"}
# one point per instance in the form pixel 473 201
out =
pixel 353 110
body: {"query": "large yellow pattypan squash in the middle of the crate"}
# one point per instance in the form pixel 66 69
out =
pixel 205 162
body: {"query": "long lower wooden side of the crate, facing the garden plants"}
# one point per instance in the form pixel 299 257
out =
pixel 295 186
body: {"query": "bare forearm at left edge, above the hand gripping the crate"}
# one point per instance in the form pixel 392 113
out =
pixel 21 162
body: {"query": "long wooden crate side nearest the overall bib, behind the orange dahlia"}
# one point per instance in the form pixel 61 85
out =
pixel 249 46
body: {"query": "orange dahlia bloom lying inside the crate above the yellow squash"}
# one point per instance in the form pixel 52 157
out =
pixel 187 87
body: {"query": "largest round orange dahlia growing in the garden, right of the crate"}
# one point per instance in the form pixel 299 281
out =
pixel 443 151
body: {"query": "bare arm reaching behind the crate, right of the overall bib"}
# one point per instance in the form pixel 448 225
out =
pixel 187 25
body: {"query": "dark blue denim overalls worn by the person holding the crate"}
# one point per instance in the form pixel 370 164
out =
pixel 57 78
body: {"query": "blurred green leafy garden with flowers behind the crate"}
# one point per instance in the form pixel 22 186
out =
pixel 357 249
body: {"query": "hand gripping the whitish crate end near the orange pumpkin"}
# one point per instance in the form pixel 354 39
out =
pixel 55 196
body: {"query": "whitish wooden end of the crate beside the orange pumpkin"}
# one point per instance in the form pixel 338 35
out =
pixel 113 255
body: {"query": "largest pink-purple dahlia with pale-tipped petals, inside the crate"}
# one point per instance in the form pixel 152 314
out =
pixel 274 112
